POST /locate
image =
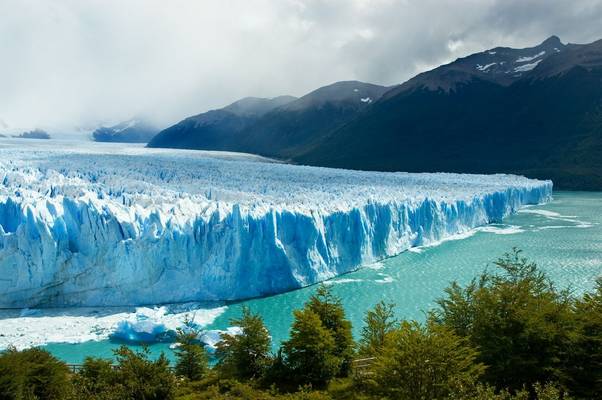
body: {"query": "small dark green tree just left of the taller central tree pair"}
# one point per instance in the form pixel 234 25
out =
pixel 246 355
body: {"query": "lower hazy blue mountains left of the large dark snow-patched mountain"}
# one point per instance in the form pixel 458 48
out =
pixel 278 127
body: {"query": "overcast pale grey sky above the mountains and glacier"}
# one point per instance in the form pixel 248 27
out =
pixel 74 64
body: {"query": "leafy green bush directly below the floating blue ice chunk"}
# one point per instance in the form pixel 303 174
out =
pixel 142 378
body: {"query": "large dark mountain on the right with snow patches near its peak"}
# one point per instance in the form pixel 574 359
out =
pixel 535 111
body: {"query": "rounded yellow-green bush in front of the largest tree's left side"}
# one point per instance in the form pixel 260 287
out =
pixel 424 362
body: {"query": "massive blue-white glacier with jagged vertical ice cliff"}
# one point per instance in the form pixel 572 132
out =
pixel 88 227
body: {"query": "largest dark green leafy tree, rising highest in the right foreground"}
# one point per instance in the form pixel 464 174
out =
pixel 520 323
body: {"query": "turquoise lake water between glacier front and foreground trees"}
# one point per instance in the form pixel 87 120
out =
pixel 563 237
